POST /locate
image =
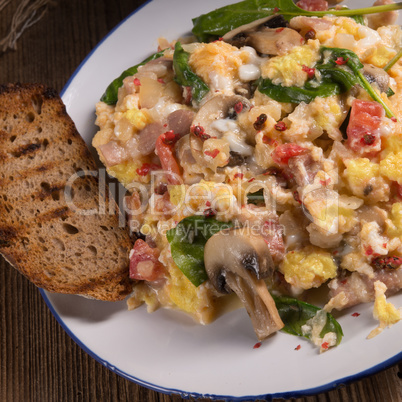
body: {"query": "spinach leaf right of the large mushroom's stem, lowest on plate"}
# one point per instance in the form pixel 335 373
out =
pixel 295 313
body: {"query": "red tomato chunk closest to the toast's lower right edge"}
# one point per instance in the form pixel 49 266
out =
pixel 144 263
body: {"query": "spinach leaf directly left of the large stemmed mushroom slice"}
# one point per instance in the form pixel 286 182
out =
pixel 187 241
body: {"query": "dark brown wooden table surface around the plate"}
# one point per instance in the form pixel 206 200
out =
pixel 38 360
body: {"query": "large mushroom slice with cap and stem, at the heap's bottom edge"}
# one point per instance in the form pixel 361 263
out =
pixel 238 262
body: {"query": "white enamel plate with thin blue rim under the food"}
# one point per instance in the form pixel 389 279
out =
pixel 166 351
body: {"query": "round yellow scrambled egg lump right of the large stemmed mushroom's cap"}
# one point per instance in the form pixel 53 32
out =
pixel 308 268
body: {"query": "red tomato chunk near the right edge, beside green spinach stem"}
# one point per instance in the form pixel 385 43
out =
pixel 363 128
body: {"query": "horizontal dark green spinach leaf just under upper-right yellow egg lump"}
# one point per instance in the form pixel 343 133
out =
pixel 294 94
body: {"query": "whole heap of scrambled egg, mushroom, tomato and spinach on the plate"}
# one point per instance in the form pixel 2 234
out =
pixel 262 157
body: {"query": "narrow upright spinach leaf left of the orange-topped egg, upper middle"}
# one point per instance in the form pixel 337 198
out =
pixel 185 76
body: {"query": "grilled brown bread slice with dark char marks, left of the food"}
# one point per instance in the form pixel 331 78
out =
pixel 52 228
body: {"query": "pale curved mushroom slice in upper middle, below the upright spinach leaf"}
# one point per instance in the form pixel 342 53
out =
pixel 219 107
